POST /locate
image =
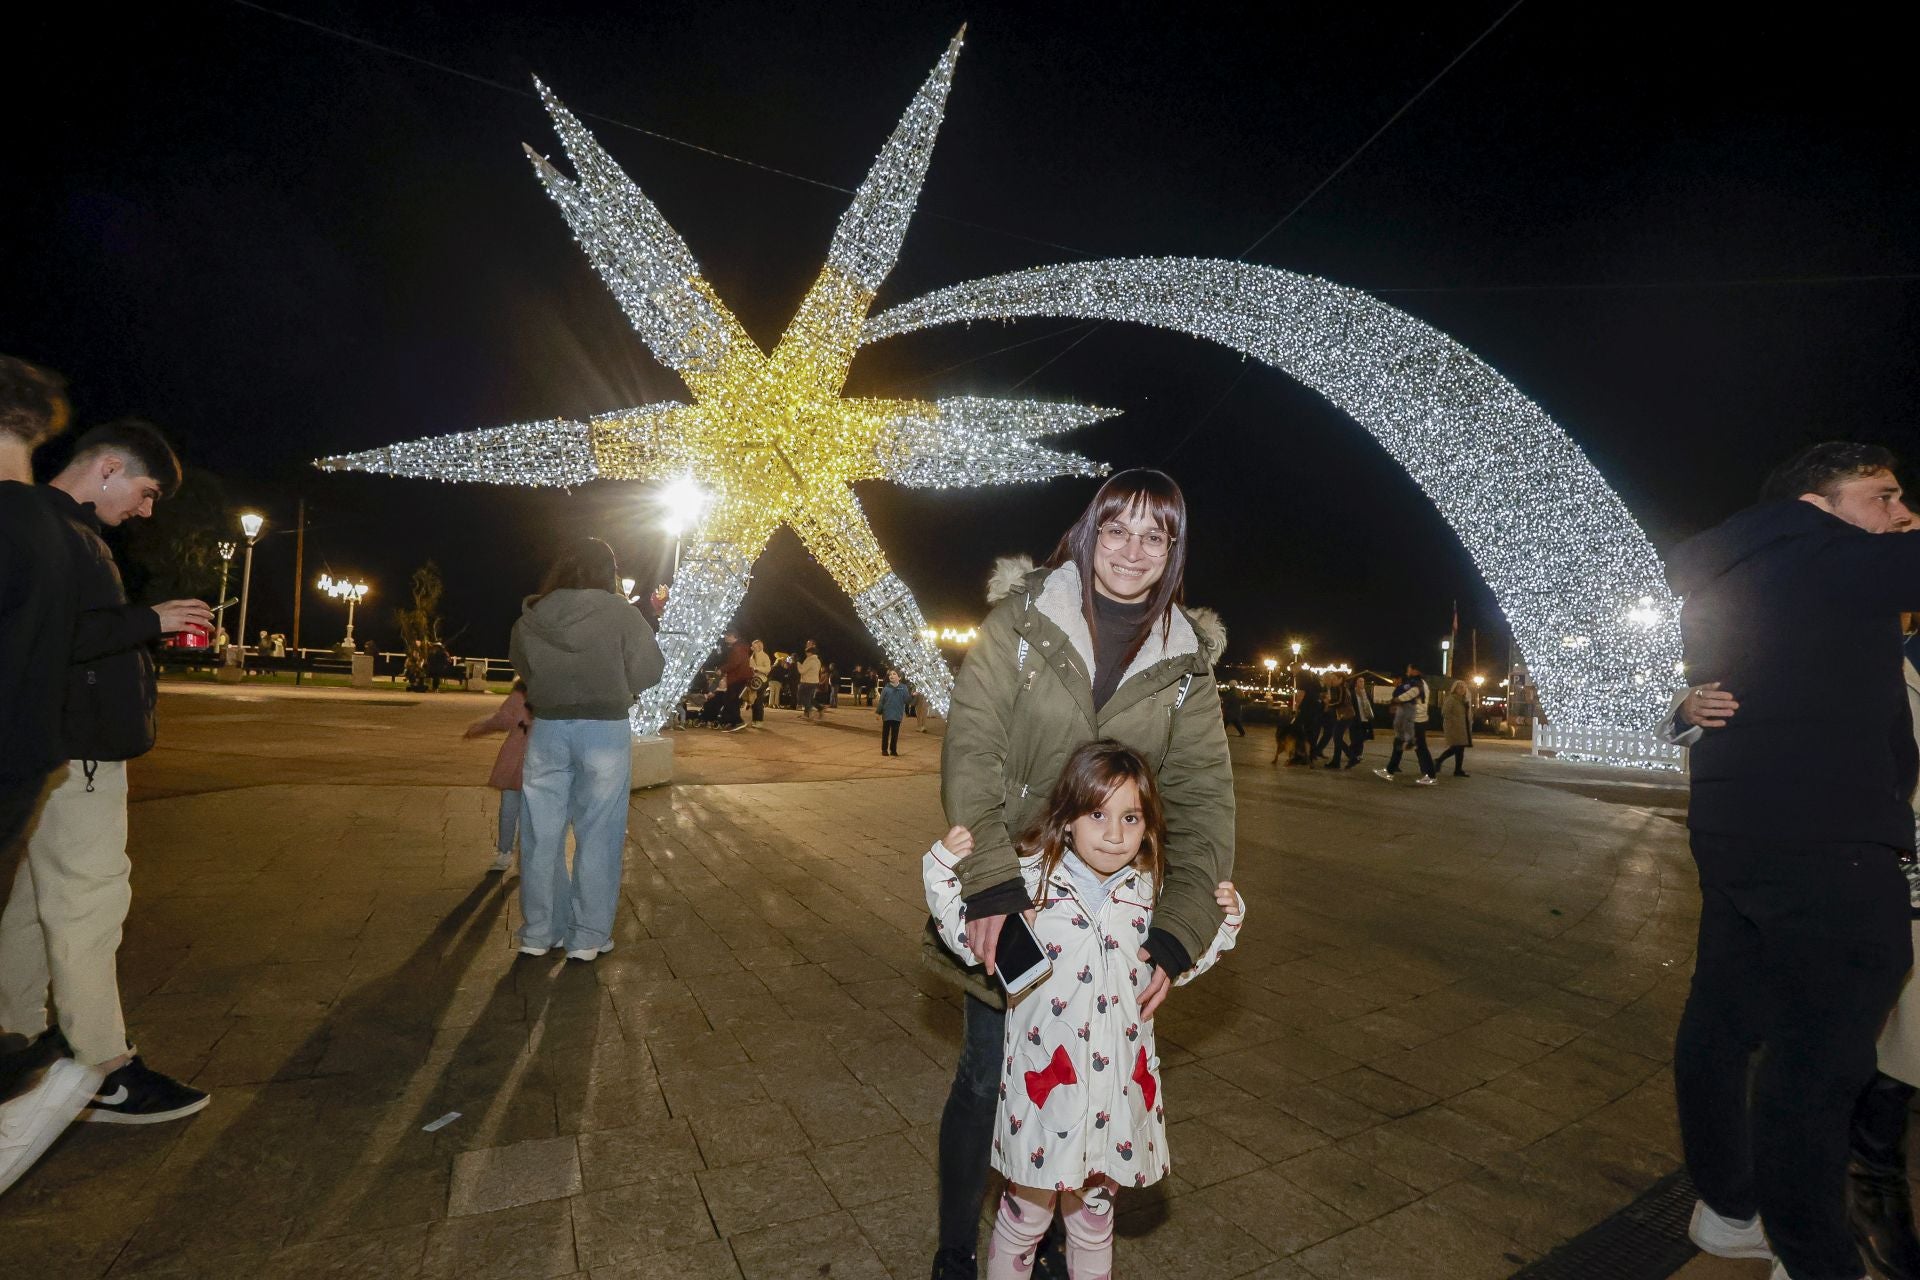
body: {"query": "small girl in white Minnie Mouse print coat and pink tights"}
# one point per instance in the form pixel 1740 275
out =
pixel 1080 1097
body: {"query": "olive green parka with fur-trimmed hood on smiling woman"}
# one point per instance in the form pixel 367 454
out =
pixel 1024 703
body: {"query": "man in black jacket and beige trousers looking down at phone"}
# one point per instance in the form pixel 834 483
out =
pixel 62 924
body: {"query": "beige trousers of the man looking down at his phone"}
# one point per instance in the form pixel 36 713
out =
pixel 62 926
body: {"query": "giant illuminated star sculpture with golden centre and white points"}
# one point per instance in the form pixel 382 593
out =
pixel 769 437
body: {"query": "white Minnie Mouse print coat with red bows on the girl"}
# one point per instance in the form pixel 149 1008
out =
pixel 1080 1085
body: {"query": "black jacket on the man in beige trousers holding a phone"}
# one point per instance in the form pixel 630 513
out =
pixel 110 686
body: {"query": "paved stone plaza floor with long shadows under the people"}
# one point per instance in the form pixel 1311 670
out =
pixel 1441 1049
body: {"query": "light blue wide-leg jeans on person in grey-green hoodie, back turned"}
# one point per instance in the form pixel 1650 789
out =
pixel 577 776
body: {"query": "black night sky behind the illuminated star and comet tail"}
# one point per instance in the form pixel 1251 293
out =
pixel 281 245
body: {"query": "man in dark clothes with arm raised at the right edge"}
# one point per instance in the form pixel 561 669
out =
pixel 1800 817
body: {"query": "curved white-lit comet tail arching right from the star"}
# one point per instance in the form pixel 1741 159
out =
pixel 1573 573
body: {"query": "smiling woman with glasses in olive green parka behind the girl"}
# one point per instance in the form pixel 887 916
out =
pixel 1093 646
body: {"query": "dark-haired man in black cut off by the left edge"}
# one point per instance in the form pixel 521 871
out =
pixel 41 1089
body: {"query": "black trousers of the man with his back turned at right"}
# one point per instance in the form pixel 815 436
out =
pixel 1802 953
